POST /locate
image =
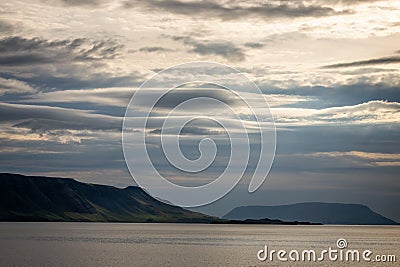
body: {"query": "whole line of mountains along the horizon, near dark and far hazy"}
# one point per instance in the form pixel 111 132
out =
pixel 39 198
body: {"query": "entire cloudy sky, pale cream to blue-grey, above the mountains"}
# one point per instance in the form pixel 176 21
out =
pixel 328 69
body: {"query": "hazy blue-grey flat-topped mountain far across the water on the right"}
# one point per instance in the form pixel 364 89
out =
pixel 316 212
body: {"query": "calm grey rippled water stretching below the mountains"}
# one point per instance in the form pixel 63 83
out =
pixel 102 244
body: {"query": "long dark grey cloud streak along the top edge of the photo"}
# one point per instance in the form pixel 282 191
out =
pixel 274 9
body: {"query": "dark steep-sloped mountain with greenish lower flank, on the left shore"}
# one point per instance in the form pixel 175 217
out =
pixel 28 198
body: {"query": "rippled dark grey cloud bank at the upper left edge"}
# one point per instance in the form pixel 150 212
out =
pixel 62 64
